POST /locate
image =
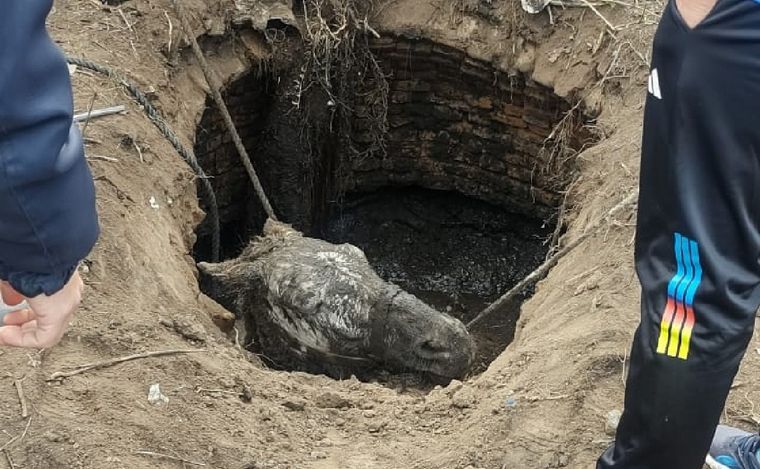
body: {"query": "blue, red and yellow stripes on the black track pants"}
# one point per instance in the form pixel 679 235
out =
pixel 678 317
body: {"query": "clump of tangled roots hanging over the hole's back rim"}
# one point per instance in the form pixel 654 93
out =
pixel 338 61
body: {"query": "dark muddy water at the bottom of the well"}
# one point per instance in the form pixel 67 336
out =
pixel 456 253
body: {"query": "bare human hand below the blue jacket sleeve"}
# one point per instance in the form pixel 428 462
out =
pixel 42 324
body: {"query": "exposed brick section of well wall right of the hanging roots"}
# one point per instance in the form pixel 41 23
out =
pixel 457 124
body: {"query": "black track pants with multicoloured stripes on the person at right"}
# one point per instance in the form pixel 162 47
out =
pixel 698 236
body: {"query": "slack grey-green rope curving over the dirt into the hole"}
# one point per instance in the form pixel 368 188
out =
pixel 163 126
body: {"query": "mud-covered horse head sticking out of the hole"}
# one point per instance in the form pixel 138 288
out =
pixel 314 306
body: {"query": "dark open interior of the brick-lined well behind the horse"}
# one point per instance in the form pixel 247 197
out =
pixel 459 208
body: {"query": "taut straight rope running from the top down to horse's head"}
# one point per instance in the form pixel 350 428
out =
pixel 216 95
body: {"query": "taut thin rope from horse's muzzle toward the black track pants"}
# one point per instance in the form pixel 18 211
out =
pixel 544 269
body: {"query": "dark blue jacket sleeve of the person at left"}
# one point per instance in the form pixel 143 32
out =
pixel 48 221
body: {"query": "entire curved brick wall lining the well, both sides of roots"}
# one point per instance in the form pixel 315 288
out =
pixel 453 123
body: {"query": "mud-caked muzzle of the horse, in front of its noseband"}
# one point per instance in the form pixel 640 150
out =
pixel 407 333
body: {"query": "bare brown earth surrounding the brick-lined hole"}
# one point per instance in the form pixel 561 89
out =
pixel 542 404
